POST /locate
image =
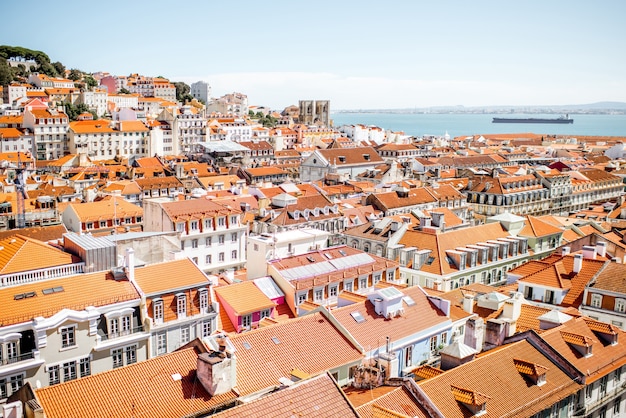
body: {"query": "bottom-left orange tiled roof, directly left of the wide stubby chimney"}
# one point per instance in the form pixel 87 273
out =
pixel 140 389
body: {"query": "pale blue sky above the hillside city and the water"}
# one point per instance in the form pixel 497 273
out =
pixel 358 54
